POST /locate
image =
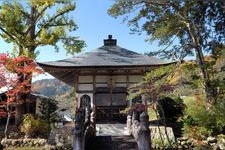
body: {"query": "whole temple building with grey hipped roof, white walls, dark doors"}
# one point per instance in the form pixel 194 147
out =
pixel 102 77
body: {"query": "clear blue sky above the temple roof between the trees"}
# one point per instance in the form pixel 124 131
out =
pixel 95 25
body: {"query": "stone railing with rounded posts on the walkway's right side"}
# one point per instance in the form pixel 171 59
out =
pixel 138 126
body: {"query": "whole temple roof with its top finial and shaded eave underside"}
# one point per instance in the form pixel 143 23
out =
pixel 108 57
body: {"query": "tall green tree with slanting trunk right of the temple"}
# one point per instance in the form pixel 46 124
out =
pixel 183 28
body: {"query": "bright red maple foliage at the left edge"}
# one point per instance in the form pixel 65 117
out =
pixel 15 77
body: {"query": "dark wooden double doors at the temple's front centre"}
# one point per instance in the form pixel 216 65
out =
pixel 109 104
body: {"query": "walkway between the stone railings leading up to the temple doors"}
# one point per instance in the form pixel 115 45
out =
pixel 111 137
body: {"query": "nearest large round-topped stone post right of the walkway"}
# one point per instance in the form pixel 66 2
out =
pixel 143 138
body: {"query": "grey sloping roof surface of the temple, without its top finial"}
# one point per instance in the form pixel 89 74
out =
pixel 107 56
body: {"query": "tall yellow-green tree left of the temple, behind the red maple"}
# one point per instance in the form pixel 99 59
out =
pixel 30 24
